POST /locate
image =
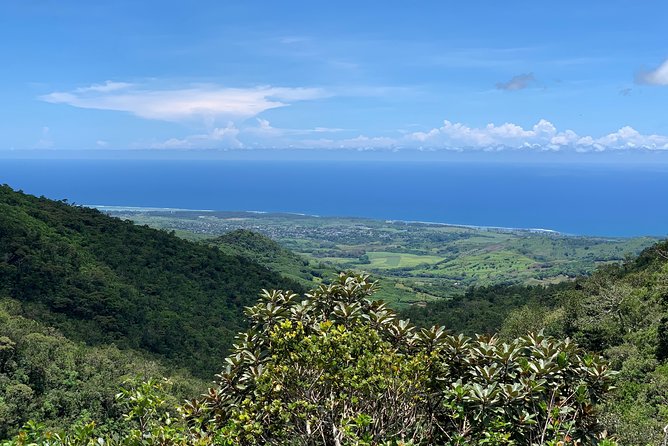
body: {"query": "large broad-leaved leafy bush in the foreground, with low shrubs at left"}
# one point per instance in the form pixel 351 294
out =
pixel 333 367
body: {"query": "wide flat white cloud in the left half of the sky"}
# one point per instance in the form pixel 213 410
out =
pixel 208 102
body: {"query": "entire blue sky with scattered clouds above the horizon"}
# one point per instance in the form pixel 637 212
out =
pixel 483 76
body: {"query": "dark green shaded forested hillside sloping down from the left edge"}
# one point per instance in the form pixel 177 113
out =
pixel 104 280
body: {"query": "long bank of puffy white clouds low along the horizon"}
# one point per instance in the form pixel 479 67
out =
pixel 454 136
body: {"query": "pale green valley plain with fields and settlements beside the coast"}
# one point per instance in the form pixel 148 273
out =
pixel 417 262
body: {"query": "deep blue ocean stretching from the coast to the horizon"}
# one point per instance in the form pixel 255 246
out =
pixel 610 200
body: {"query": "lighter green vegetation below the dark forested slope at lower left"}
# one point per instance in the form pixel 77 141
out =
pixel 45 376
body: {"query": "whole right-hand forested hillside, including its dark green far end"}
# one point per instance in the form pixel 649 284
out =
pixel 621 312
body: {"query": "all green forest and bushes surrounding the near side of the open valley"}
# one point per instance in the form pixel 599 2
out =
pixel 121 334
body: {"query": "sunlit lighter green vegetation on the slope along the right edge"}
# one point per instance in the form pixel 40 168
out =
pixel 621 312
